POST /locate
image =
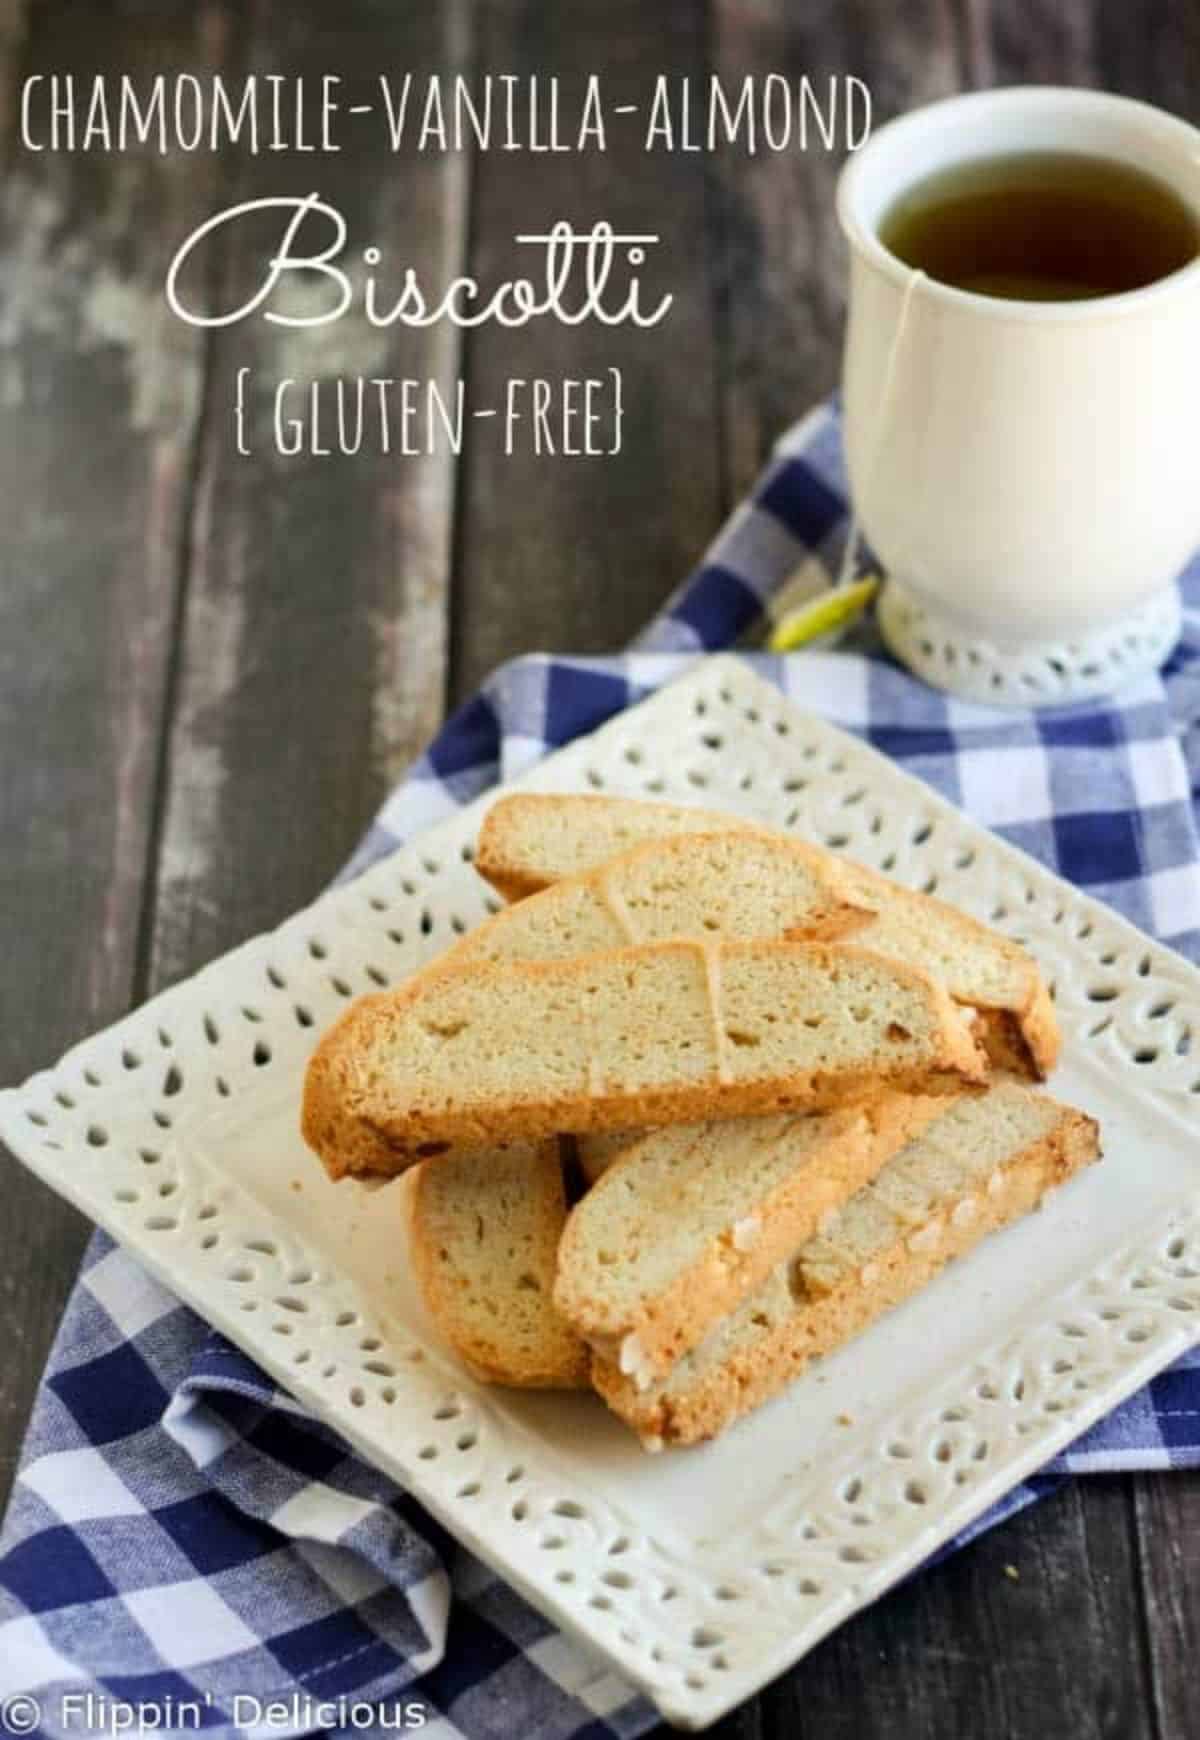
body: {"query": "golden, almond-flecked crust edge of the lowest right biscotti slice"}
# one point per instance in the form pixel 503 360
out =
pixel 764 1367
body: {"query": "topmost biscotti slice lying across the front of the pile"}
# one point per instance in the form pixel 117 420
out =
pixel 665 1034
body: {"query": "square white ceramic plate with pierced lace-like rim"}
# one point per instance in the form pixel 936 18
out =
pixel 698 1574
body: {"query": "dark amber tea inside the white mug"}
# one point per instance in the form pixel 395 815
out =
pixel 1043 227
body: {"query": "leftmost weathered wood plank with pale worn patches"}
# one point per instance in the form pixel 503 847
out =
pixel 102 398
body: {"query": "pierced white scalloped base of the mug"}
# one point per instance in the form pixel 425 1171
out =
pixel 938 648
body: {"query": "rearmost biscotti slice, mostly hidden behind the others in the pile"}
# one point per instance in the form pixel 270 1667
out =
pixel 533 840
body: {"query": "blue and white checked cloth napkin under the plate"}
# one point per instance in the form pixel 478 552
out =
pixel 183 1536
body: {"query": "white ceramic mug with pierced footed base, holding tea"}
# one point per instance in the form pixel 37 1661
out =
pixel 1023 471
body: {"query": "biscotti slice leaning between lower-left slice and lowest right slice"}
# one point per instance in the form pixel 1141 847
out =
pixel 693 1219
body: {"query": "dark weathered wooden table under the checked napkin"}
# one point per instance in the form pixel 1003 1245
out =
pixel 213 666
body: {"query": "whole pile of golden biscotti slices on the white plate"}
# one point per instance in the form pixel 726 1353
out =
pixel 794 1092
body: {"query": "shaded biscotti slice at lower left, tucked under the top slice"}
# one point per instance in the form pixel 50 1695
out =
pixel 484 1238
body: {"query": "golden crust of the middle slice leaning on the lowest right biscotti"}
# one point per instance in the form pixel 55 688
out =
pixel 855 1146
